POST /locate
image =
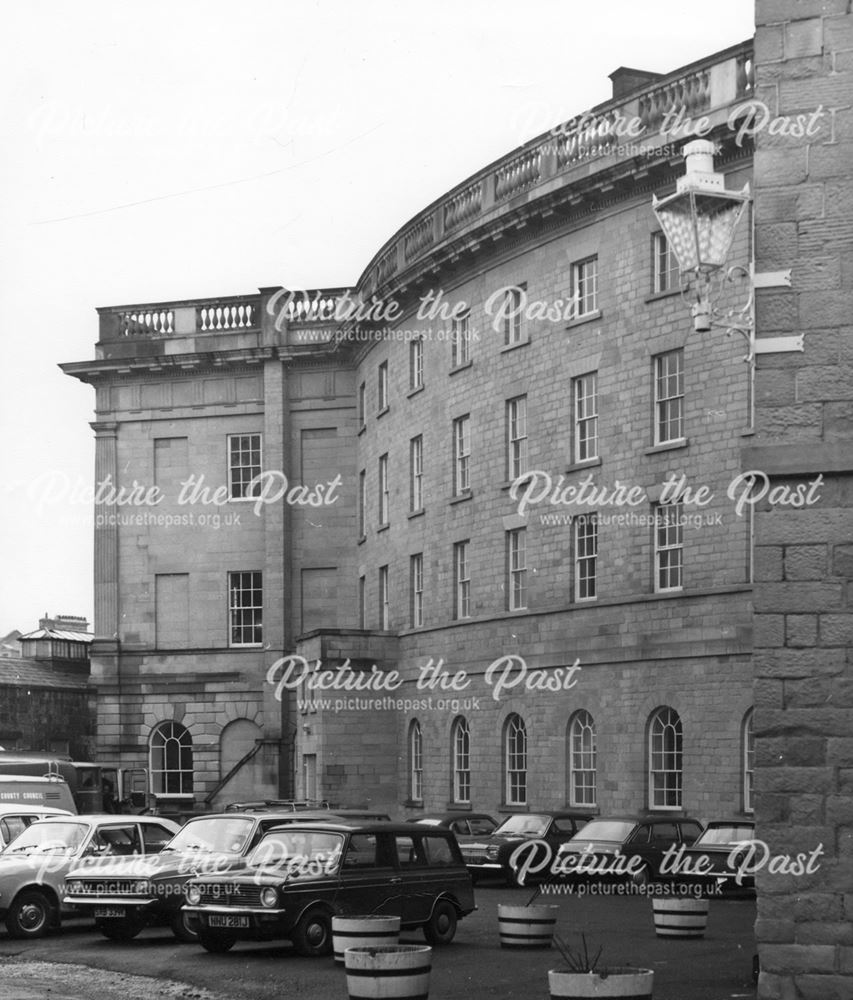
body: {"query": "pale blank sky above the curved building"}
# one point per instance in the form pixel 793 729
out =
pixel 183 149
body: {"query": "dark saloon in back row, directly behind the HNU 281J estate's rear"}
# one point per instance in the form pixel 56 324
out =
pixel 491 855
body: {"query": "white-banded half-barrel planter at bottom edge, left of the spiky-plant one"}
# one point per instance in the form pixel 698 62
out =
pixel 388 972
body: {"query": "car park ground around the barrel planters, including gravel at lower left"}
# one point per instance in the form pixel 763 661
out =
pixel 717 967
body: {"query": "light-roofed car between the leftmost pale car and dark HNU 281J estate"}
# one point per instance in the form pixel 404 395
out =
pixel 126 897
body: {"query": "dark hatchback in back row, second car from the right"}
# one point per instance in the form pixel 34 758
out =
pixel 645 838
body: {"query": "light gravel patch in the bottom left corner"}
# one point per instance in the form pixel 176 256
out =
pixel 52 981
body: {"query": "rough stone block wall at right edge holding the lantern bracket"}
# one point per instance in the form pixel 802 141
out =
pixel 804 555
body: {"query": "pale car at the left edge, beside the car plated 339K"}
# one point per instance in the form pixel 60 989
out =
pixel 33 867
